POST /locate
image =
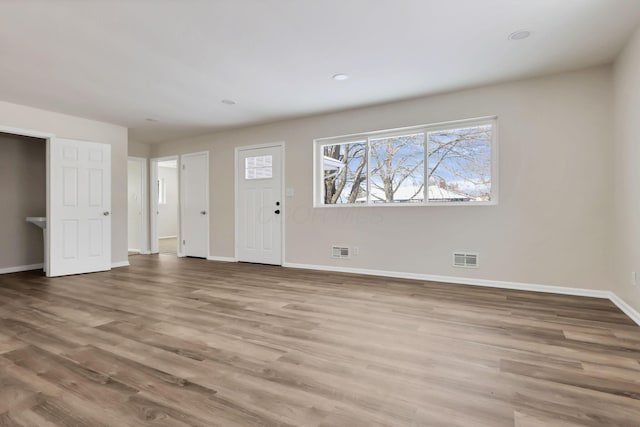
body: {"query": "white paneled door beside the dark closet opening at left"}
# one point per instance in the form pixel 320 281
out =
pixel 79 218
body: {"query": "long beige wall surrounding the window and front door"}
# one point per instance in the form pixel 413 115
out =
pixel 551 225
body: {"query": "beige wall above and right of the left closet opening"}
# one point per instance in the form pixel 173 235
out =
pixel 64 126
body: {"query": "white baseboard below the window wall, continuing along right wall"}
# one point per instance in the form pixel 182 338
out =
pixel 593 293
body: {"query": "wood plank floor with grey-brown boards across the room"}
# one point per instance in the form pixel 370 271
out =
pixel 182 342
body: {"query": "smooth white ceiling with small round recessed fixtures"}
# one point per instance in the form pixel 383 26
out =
pixel 123 61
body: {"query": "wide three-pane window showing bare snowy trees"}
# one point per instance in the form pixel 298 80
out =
pixel 433 164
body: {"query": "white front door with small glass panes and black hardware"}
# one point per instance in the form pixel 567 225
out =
pixel 259 205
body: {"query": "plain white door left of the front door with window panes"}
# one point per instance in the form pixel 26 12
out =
pixel 195 204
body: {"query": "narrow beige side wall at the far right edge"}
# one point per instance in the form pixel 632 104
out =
pixel 626 142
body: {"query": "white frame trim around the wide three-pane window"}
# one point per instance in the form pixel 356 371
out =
pixel 318 157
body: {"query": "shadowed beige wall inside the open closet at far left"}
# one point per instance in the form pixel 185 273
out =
pixel 23 192
